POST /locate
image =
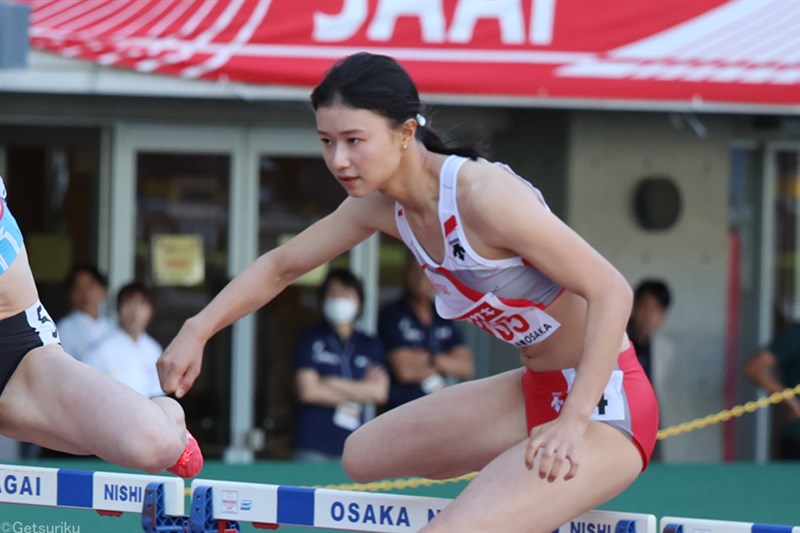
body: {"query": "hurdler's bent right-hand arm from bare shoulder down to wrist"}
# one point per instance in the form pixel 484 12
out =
pixel 507 215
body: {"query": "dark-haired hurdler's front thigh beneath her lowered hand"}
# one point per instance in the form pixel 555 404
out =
pixel 506 496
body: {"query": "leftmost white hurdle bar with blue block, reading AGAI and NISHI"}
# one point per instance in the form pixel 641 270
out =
pixel 105 492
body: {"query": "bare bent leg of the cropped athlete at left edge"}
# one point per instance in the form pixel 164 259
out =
pixel 58 402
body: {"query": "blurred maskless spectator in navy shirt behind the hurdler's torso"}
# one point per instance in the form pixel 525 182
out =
pixel 424 352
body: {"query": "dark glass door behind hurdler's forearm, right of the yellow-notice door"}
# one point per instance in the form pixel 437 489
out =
pixel 295 189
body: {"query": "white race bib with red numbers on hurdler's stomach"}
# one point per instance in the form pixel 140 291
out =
pixel 520 326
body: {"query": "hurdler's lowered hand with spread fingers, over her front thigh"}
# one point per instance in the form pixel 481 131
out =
pixel 556 443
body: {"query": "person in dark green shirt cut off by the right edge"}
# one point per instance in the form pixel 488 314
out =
pixel 774 368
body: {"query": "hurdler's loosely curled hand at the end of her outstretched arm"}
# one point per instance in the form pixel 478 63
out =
pixel 180 363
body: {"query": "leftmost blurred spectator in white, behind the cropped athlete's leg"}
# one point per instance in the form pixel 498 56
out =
pixel 85 326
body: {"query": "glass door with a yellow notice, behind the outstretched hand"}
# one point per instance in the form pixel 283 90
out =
pixel 172 226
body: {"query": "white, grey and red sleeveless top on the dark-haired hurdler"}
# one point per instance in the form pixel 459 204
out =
pixel 505 297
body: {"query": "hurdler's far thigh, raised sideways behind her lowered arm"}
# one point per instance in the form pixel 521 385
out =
pixel 456 430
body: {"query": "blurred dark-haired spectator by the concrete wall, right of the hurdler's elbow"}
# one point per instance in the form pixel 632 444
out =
pixel 651 300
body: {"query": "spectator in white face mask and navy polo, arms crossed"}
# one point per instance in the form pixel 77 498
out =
pixel 337 370
